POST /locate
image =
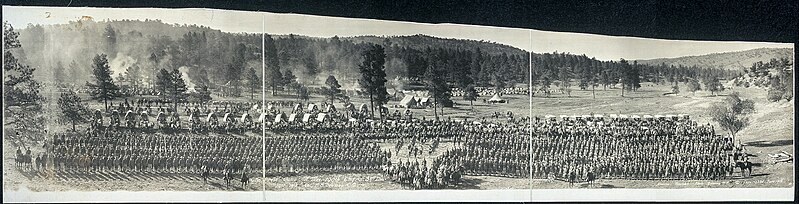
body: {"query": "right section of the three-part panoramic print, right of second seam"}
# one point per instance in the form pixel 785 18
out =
pixel 623 112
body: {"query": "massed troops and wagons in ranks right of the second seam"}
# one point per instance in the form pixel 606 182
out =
pixel 628 148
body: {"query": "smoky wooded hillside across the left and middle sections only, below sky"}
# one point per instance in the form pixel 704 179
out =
pixel 209 56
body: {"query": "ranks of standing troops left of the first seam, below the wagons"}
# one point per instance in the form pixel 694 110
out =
pixel 123 150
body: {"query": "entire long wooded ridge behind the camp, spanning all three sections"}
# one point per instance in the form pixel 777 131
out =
pixel 212 58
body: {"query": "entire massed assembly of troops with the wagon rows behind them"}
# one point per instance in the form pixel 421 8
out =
pixel 311 139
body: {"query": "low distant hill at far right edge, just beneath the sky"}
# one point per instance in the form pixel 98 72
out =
pixel 727 60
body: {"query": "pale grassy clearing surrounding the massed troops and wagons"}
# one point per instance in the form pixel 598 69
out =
pixel 770 131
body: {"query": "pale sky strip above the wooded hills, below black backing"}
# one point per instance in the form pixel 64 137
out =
pixel 599 46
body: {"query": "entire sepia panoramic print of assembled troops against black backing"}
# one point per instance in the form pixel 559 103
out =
pixel 202 104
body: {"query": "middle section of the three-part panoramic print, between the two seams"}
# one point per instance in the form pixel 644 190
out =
pixel 381 105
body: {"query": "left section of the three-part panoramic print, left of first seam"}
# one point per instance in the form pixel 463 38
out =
pixel 103 100
